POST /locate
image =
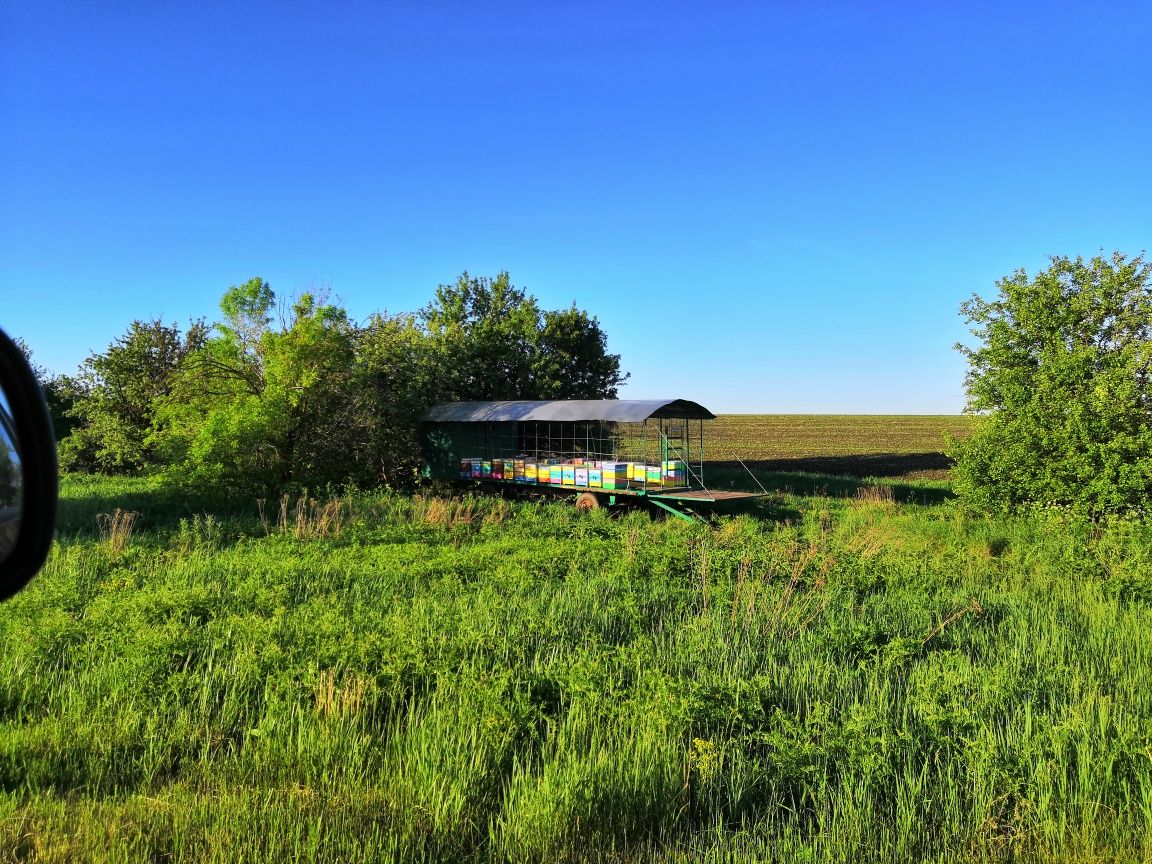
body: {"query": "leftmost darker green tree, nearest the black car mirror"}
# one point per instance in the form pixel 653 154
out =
pixel 113 399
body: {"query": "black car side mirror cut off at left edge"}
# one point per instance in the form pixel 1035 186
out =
pixel 29 478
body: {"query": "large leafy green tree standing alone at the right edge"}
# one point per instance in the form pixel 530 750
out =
pixel 1062 375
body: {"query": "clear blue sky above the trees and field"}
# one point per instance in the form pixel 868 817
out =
pixel 771 207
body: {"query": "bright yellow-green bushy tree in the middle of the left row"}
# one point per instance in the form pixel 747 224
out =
pixel 255 410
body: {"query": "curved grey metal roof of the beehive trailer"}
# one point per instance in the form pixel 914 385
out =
pixel 626 411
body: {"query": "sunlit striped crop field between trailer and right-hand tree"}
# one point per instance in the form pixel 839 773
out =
pixel 862 445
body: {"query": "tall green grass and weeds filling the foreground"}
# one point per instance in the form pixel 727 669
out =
pixel 828 679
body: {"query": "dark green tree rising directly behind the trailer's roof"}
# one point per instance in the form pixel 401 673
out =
pixel 495 343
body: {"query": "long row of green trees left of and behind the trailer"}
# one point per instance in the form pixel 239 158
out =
pixel 297 395
